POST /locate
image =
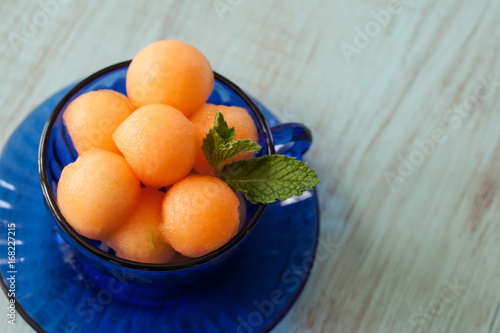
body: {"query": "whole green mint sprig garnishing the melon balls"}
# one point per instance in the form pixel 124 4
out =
pixel 262 179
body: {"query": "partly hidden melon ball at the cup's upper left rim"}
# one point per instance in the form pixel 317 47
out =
pixel 92 118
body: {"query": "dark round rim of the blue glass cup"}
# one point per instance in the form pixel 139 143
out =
pixel 82 241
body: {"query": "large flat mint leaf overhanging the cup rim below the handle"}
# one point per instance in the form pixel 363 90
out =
pixel 265 179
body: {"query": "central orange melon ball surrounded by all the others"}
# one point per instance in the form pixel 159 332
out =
pixel 159 143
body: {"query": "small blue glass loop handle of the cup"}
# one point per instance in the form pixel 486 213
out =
pixel 291 139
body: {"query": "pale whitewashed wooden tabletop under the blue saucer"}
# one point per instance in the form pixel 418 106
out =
pixel 404 102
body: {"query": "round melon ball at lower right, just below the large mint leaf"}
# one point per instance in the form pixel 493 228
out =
pixel 200 215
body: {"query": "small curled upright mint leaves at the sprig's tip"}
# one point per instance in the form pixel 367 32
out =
pixel 218 145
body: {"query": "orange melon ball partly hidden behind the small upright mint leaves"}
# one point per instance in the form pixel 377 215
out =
pixel 239 118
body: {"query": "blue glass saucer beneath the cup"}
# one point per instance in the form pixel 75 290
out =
pixel 252 292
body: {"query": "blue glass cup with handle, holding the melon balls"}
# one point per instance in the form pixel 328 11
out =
pixel 98 261
